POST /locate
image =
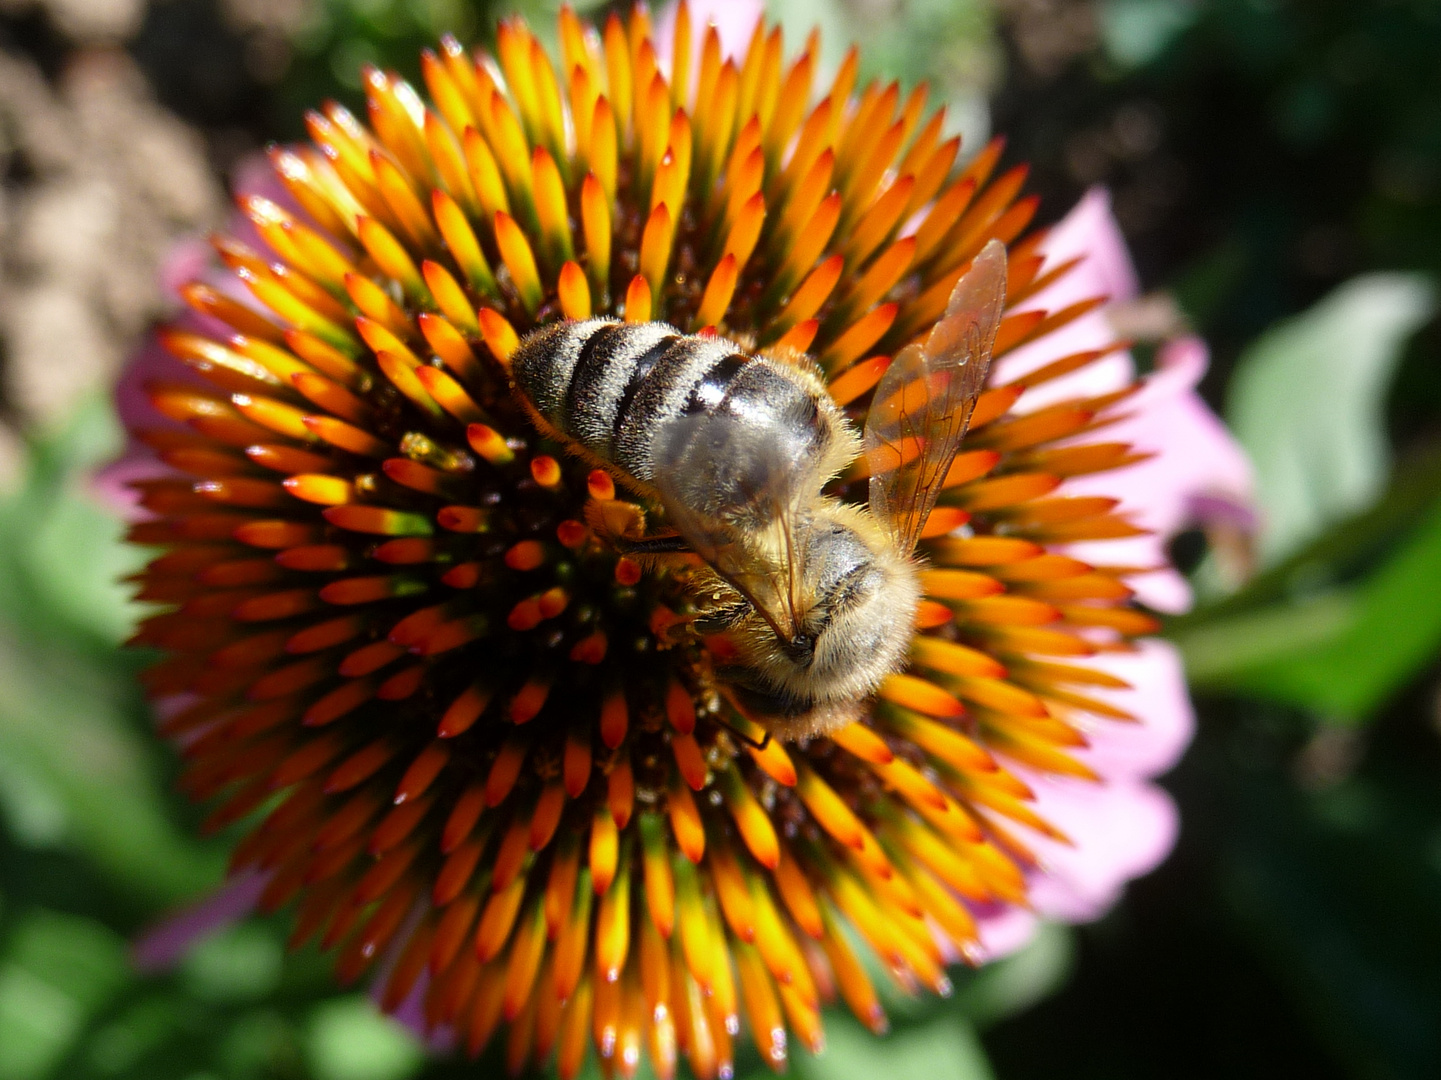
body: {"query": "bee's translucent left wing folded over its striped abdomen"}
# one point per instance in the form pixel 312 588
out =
pixel 734 490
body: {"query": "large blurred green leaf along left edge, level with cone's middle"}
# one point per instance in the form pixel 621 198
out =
pixel 76 765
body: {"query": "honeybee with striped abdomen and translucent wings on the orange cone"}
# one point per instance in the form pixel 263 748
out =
pixel 818 596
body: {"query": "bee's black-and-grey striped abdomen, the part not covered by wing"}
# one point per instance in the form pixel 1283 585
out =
pixel 630 393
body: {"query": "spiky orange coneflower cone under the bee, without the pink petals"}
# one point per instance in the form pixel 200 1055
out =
pixel 462 730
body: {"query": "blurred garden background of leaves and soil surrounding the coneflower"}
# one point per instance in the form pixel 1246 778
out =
pixel 1276 167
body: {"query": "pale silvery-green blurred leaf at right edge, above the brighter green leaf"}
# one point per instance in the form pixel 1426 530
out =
pixel 1306 403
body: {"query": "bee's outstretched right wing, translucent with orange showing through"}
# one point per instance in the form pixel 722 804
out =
pixel 926 399
